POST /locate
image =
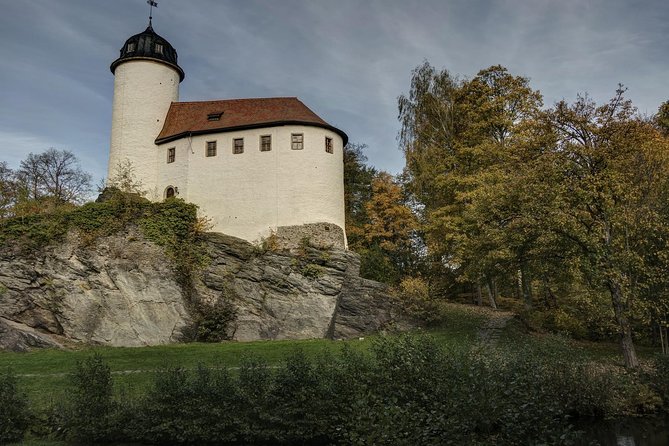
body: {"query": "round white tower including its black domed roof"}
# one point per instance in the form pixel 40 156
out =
pixel 146 82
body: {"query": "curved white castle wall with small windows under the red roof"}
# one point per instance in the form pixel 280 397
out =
pixel 249 194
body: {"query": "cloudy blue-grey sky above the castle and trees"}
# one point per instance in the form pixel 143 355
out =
pixel 348 60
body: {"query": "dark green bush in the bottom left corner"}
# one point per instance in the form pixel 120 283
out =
pixel 14 413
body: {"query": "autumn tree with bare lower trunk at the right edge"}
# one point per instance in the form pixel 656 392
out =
pixel 612 171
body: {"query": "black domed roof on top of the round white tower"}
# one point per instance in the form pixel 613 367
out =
pixel 149 46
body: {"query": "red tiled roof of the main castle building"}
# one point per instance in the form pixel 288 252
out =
pixel 191 118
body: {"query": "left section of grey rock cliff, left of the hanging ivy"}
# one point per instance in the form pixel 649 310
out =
pixel 118 290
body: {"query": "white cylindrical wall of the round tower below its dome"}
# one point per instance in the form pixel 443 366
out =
pixel 143 91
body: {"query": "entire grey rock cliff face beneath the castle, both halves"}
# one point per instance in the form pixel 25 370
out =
pixel 122 290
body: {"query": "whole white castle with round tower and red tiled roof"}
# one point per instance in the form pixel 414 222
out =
pixel 253 166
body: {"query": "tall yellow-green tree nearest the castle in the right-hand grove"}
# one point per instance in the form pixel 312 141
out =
pixel 457 137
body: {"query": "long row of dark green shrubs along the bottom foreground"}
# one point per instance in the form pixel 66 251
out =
pixel 406 391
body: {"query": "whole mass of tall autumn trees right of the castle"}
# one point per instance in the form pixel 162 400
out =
pixel 568 201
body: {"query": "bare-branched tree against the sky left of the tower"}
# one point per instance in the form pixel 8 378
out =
pixel 54 174
